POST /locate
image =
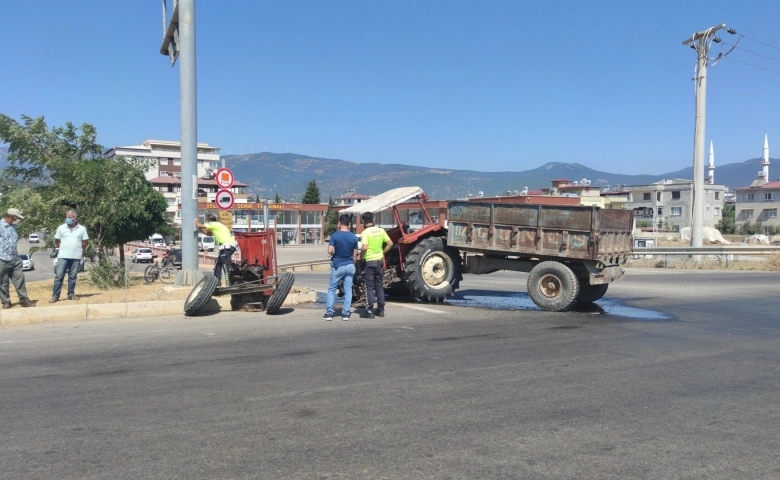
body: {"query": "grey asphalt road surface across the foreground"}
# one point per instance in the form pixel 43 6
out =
pixel 675 375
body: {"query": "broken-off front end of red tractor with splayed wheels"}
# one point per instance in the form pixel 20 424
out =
pixel 253 284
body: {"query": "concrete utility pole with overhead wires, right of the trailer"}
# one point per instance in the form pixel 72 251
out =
pixel 700 42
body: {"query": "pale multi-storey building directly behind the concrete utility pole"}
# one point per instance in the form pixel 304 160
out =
pixel 668 203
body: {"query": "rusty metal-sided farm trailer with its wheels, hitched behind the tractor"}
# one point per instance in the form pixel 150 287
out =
pixel 572 253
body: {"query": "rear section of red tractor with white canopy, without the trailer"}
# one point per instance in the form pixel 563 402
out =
pixel 420 263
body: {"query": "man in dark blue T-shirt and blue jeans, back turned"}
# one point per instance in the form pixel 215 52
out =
pixel 344 251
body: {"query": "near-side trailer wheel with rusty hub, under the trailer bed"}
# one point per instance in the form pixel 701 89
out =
pixel 553 286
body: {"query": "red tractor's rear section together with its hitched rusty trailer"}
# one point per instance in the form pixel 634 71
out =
pixel 571 252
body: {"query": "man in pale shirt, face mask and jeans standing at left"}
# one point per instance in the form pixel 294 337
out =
pixel 71 239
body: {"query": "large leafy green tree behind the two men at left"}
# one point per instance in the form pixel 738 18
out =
pixel 114 200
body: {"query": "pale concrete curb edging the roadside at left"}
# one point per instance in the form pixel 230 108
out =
pixel 64 313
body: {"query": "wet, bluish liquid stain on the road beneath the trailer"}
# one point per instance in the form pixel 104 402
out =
pixel 521 301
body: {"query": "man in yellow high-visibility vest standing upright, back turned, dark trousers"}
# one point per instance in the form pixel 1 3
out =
pixel 375 243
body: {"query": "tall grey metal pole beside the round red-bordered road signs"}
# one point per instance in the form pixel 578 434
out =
pixel 179 41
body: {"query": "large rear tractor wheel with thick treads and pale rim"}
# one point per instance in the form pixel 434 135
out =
pixel 432 273
